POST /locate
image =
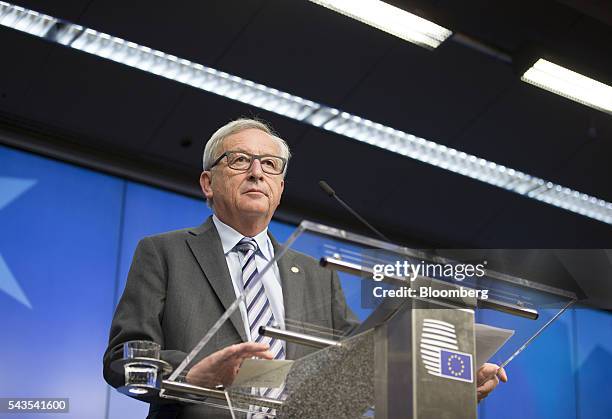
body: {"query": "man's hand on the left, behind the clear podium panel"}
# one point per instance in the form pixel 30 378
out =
pixel 222 366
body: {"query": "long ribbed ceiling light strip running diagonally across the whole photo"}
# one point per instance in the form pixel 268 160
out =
pixel 306 111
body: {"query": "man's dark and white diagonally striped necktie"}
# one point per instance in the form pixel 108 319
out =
pixel 259 311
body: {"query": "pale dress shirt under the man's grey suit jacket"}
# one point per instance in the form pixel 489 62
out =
pixel 270 279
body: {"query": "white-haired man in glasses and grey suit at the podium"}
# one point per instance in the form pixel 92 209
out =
pixel 181 282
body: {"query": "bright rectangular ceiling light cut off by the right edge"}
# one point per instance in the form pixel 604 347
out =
pixel 569 84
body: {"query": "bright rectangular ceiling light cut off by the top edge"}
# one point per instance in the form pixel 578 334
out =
pixel 390 19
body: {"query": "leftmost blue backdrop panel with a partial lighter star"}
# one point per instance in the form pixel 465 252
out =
pixel 58 249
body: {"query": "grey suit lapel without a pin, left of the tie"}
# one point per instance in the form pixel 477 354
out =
pixel 205 245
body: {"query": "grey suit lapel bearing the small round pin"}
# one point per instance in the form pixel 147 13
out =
pixel 293 289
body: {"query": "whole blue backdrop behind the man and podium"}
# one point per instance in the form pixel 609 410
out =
pixel 67 236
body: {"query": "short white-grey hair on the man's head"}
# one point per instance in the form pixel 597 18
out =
pixel 215 143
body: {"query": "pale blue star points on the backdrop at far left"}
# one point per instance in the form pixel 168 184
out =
pixel 10 190
